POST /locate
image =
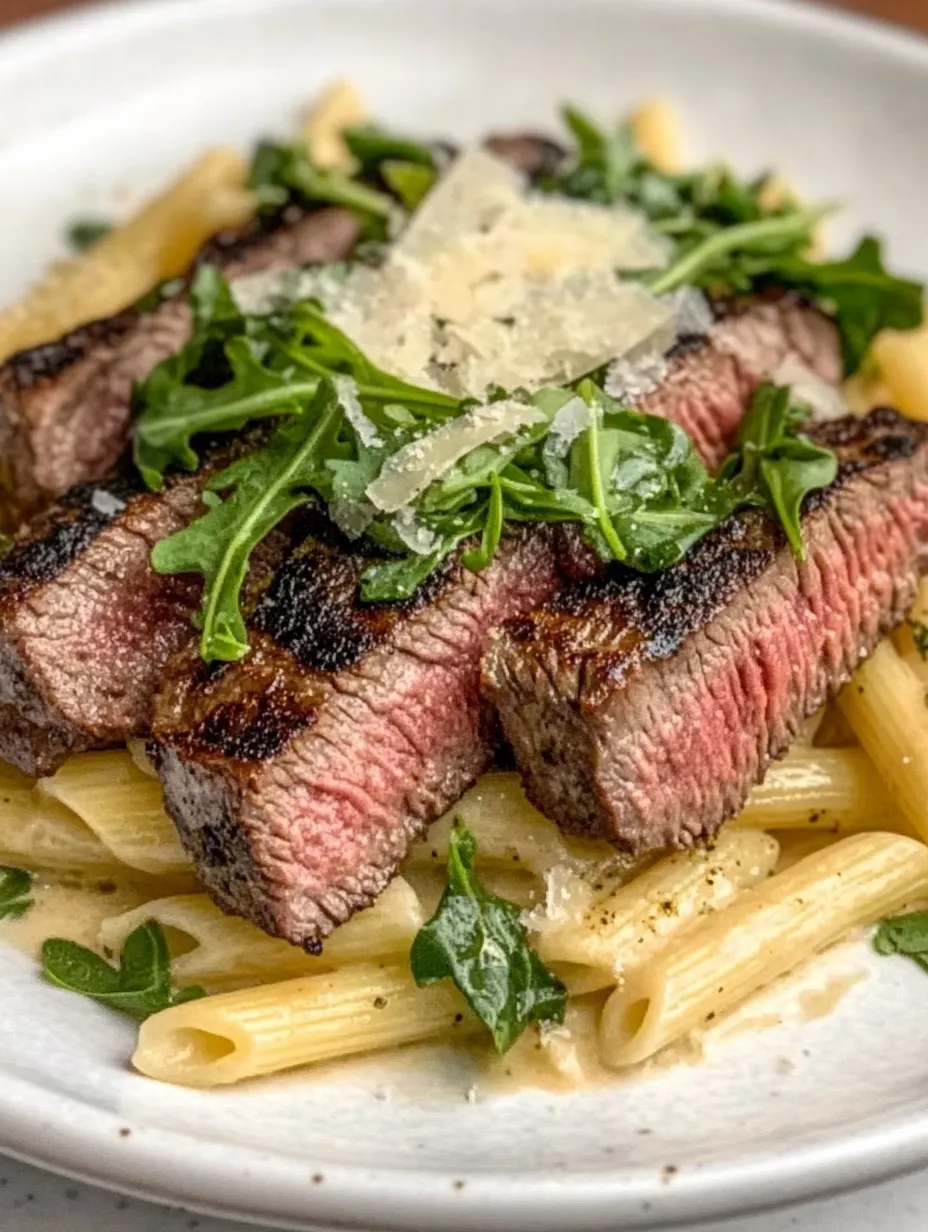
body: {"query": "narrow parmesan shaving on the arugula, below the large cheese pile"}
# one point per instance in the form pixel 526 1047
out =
pixel 412 470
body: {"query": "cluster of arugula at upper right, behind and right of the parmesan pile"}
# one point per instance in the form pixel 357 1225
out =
pixel 728 237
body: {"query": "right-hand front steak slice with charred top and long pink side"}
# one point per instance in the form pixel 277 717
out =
pixel 645 708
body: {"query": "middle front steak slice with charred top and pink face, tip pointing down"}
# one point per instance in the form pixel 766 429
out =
pixel 300 777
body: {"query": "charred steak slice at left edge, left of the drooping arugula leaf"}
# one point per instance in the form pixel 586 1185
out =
pixel 87 626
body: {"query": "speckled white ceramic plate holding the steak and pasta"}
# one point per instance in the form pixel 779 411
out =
pixel 107 104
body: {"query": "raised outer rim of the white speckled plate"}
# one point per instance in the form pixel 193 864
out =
pixel 66 1135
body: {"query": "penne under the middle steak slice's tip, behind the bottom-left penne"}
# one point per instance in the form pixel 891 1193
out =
pixel 213 948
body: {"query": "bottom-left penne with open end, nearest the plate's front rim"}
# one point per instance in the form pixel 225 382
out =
pixel 263 1031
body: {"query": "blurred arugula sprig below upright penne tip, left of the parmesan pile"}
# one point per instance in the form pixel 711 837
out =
pixel 282 174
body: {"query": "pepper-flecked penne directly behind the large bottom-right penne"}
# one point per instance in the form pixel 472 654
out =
pixel 617 926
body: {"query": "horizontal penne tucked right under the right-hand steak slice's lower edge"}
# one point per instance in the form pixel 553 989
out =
pixel 823 789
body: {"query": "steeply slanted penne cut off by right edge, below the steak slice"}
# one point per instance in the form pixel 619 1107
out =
pixel 885 705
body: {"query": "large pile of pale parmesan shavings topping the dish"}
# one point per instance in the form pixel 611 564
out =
pixel 492 286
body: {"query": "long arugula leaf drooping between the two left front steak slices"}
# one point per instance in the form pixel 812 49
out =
pixel 263 488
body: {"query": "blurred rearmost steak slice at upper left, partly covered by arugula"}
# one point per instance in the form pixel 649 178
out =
pixel 65 408
